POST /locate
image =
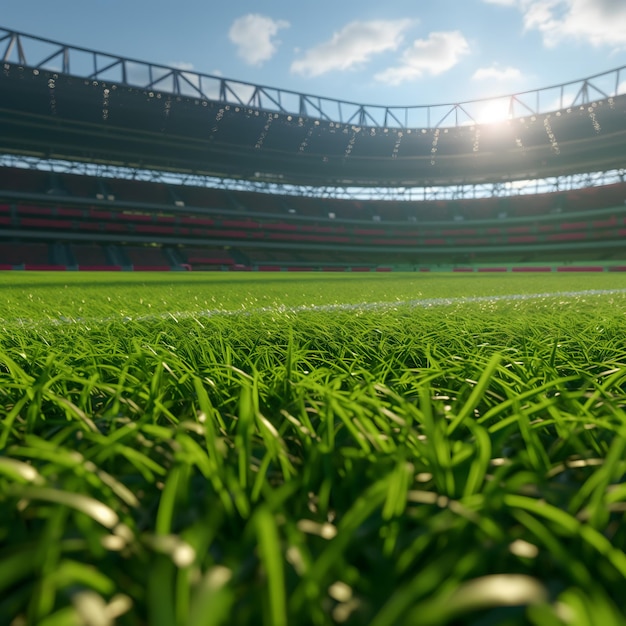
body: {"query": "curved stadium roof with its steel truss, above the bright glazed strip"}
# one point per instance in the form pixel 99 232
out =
pixel 77 104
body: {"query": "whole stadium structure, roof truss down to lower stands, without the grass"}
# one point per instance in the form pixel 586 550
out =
pixel 57 214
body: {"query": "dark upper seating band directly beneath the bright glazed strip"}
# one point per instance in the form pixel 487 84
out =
pixel 145 192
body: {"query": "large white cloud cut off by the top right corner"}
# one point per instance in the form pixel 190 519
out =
pixel 598 22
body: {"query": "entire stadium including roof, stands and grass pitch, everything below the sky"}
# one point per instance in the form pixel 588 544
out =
pixel 382 381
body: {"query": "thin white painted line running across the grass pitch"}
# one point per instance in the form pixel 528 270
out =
pixel 424 303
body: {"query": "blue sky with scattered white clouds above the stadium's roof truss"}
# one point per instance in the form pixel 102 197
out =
pixel 403 52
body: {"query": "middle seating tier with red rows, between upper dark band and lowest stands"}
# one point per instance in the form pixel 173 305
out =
pixel 40 217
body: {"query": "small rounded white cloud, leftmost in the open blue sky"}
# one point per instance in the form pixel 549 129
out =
pixel 254 35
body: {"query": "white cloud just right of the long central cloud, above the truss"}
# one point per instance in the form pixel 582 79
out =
pixel 435 55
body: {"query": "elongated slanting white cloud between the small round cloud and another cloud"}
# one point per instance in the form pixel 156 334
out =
pixel 353 45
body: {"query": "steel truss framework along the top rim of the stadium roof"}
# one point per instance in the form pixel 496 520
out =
pixel 45 54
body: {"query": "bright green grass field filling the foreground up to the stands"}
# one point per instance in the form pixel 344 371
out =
pixel 204 449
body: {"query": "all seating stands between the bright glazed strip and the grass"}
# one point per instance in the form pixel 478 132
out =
pixel 122 229
